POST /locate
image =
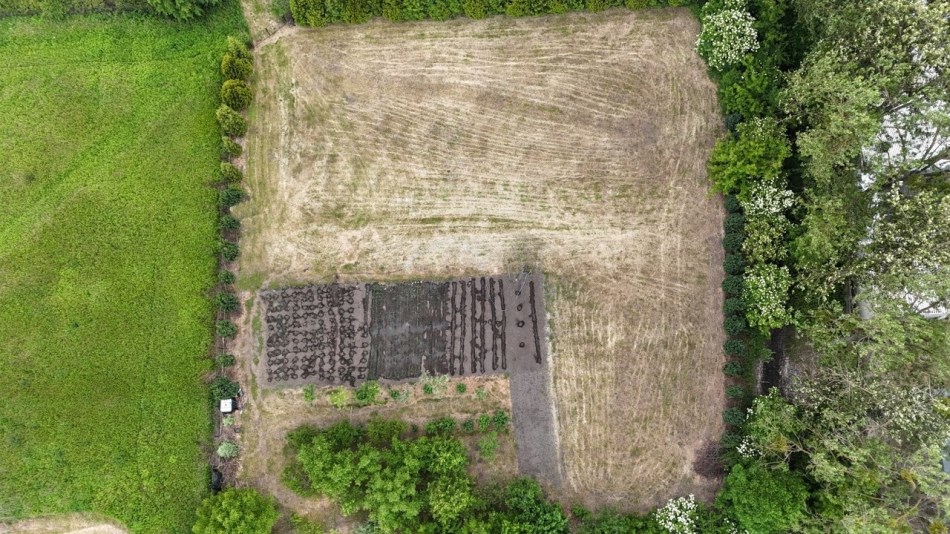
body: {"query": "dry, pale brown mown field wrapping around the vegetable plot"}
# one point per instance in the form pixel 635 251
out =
pixel 576 144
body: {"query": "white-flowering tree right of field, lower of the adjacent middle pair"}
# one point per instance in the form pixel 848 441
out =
pixel 766 295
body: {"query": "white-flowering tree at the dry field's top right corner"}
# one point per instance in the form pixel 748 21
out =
pixel 728 33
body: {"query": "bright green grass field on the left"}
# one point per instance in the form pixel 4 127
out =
pixel 108 144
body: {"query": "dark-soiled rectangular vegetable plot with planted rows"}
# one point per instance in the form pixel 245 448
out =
pixel 349 333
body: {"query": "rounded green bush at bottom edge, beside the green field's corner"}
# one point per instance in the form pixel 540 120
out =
pixel 236 511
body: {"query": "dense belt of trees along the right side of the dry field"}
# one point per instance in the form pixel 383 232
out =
pixel 838 155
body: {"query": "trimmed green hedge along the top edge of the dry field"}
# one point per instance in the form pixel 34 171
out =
pixel 323 12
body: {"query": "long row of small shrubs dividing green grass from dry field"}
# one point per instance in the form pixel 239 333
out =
pixel 236 68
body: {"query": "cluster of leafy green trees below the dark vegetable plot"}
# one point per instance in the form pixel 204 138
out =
pixel 412 484
